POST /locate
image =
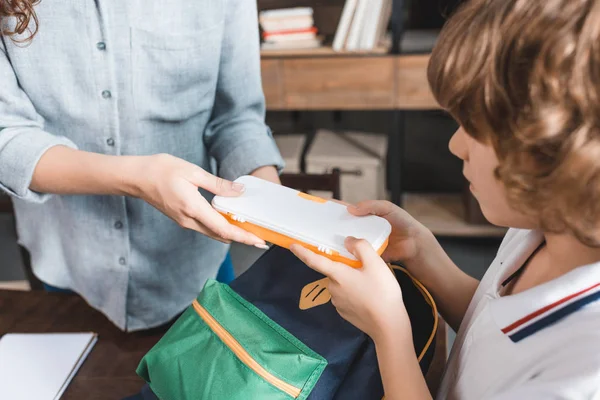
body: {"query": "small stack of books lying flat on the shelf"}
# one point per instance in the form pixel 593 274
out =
pixel 291 28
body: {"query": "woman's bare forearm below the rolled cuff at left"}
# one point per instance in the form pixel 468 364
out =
pixel 62 170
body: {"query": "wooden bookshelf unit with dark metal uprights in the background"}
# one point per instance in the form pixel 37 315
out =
pixel 390 77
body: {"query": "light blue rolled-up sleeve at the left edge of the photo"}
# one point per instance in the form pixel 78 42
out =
pixel 23 140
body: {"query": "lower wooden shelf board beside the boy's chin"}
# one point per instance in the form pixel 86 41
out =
pixel 443 214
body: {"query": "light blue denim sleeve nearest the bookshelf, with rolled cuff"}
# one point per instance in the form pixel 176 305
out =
pixel 237 136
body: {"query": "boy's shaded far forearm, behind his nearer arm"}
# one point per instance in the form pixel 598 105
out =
pixel 451 288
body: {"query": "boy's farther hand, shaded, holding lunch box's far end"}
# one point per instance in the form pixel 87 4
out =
pixel 407 238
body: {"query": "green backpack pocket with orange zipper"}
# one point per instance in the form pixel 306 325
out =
pixel 223 347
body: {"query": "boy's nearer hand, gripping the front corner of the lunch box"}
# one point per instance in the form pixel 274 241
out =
pixel 369 297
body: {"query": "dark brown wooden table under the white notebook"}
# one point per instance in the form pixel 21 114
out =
pixel 109 371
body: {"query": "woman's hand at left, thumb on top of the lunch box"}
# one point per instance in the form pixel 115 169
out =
pixel 171 184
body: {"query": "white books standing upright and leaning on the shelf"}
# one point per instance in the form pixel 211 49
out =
pixel 363 25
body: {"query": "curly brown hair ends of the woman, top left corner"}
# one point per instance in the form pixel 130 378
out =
pixel 23 13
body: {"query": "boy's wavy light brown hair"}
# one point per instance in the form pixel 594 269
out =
pixel 524 76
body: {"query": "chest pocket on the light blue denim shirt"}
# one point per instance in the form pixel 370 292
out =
pixel 174 76
